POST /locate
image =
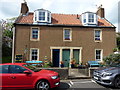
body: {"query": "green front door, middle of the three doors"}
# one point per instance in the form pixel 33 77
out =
pixel 66 57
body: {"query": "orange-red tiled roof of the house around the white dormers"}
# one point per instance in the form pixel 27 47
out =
pixel 63 19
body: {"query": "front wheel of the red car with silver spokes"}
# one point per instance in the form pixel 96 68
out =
pixel 42 85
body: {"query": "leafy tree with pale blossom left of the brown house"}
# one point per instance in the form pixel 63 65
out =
pixel 7 36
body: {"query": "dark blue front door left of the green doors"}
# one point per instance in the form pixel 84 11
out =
pixel 56 57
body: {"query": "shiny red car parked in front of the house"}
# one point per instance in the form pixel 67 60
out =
pixel 25 76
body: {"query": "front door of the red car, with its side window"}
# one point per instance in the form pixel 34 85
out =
pixel 20 79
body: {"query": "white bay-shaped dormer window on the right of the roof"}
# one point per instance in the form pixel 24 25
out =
pixel 89 19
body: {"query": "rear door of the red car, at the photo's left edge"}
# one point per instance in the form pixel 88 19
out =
pixel 5 76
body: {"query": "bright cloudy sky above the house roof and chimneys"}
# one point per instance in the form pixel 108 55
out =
pixel 11 8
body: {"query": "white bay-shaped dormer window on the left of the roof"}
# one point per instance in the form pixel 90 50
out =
pixel 42 16
